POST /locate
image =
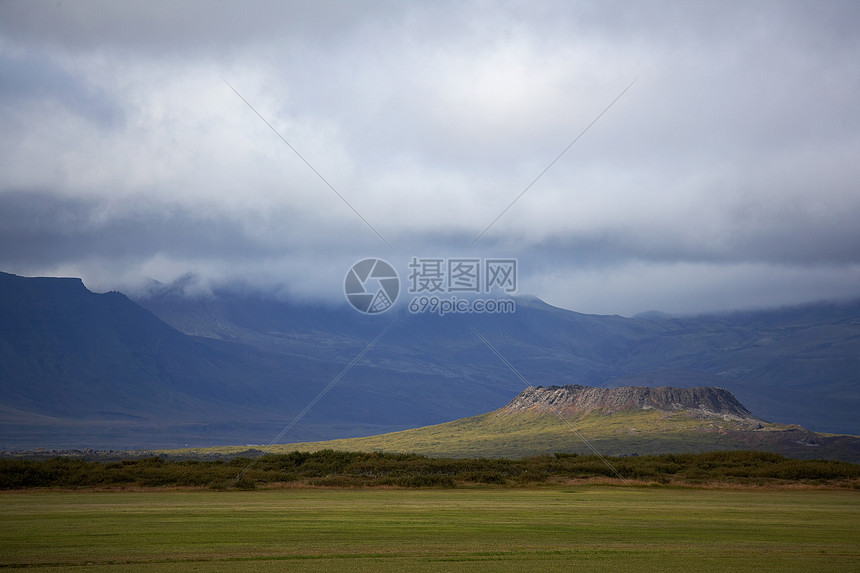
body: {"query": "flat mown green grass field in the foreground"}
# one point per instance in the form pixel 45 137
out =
pixel 559 528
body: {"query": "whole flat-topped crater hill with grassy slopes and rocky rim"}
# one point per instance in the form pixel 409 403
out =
pixel 614 422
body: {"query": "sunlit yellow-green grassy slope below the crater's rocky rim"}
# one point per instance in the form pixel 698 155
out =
pixel 642 432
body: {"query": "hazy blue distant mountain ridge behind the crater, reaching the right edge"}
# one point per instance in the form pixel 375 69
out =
pixel 796 363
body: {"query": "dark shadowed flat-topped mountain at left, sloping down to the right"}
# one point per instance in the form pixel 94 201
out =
pixel 90 365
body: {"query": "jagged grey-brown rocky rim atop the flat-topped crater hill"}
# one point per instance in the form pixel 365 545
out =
pixel 705 401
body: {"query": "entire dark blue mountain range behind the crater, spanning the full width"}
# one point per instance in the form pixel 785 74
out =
pixel 80 369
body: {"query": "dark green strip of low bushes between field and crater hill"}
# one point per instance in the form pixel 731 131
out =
pixel 351 469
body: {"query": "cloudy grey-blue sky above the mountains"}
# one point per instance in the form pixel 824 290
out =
pixel 677 156
